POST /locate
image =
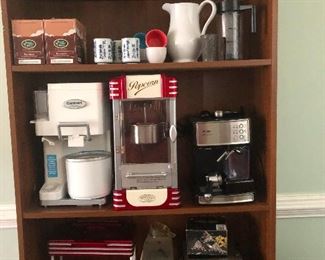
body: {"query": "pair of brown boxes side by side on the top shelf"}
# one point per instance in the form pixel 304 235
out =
pixel 52 41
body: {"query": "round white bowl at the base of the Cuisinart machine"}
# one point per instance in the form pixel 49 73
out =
pixel 89 174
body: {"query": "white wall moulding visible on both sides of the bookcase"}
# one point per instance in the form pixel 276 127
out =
pixel 292 205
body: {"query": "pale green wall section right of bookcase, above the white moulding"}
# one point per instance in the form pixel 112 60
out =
pixel 301 96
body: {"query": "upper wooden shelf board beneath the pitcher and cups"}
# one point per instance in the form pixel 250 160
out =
pixel 167 66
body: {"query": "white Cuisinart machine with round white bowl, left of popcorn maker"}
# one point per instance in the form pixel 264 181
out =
pixel 72 120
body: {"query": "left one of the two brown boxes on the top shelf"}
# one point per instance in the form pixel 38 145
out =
pixel 28 41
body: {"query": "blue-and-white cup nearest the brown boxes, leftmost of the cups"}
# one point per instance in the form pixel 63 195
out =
pixel 103 50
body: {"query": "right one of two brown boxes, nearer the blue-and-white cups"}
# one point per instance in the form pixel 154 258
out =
pixel 65 41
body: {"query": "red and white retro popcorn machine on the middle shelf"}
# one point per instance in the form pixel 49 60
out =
pixel 145 156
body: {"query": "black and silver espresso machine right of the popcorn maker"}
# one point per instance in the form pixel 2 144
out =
pixel 222 158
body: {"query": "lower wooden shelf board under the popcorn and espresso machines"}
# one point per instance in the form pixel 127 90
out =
pixel 107 211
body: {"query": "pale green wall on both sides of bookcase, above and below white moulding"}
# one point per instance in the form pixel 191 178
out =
pixel 301 129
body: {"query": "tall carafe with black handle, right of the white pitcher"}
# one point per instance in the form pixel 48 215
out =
pixel 230 29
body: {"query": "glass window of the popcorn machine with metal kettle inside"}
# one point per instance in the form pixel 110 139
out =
pixel 144 135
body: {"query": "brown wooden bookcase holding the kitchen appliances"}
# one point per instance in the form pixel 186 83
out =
pixel 250 83
